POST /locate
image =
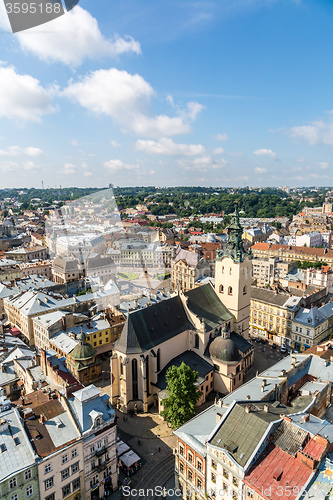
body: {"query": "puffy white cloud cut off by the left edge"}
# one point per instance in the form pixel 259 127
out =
pixel 22 97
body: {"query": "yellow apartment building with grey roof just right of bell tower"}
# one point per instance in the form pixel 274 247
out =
pixel 271 314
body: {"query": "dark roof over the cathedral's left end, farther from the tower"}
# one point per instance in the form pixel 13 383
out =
pixel 149 327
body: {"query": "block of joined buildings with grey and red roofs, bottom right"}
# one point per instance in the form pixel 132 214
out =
pixel 271 432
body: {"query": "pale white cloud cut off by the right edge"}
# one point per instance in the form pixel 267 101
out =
pixel 318 132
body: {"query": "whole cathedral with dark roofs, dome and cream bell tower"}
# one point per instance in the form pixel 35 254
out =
pixel 206 328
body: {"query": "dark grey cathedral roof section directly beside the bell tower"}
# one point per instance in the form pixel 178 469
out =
pixel 204 303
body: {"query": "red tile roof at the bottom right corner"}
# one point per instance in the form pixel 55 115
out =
pixel 278 475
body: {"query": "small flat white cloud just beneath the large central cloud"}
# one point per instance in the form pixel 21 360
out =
pixel 166 146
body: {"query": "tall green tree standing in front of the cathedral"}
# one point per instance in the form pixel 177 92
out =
pixel 179 405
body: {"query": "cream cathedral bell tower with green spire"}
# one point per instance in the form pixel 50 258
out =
pixel 233 270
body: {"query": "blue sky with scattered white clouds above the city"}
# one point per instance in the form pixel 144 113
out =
pixel 169 92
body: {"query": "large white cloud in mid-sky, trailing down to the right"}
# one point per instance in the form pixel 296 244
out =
pixel 126 98
